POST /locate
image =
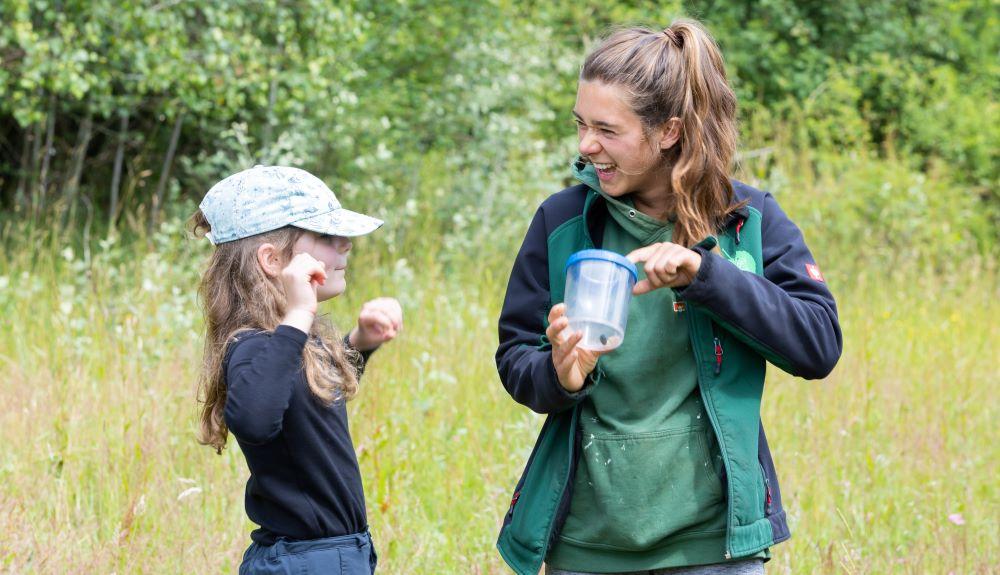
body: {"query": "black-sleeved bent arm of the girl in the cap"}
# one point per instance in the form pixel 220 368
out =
pixel 261 373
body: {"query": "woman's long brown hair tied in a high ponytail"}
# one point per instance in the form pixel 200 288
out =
pixel 678 72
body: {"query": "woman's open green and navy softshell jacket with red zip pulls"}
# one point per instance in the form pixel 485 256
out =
pixel 762 298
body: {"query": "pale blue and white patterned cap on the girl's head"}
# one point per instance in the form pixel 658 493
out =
pixel 266 198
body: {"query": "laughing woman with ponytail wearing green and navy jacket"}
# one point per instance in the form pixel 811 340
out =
pixel 653 458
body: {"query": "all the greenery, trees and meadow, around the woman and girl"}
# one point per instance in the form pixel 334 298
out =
pixel 874 123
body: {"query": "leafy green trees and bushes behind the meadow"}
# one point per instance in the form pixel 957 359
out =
pixel 115 112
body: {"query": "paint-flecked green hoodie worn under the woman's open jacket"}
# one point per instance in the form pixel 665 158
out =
pixel 647 493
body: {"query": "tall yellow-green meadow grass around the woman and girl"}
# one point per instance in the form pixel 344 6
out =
pixel 101 473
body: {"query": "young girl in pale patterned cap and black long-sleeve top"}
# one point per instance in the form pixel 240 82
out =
pixel 277 376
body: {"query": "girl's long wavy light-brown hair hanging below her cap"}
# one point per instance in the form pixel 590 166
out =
pixel 238 296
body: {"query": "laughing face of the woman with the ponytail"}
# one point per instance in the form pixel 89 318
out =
pixel 613 137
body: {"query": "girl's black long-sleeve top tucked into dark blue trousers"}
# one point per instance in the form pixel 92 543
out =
pixel 304 477
